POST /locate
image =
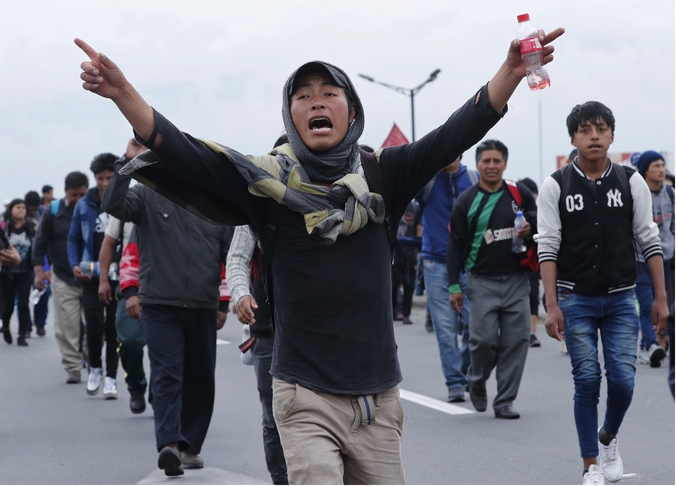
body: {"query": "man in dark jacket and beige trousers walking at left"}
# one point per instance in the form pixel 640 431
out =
pixel 52 240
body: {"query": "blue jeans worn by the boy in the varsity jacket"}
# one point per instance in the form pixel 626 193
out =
pixel 615 316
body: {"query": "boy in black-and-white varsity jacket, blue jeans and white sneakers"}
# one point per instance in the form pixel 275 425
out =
pixel 589 215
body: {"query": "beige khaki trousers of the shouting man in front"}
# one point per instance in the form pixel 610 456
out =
pixel 339 439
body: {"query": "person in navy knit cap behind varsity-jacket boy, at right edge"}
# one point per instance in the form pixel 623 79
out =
pixel 651 166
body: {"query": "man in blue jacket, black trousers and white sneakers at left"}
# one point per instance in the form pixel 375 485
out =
pixel 87 231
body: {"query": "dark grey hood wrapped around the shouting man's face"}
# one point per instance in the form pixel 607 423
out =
pixel 342 159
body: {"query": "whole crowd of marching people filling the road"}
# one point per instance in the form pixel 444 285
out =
pixel 157 264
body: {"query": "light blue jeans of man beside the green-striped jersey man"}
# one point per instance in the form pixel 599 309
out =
pixel 454 359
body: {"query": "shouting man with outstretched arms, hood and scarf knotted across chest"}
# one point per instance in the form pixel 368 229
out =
pixel 335 366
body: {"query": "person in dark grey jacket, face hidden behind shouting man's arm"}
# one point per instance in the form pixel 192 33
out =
pixel 179 277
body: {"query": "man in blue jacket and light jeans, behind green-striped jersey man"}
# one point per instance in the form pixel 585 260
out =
pixel 440 197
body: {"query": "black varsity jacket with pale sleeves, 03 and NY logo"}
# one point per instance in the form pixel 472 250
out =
pixel 588 228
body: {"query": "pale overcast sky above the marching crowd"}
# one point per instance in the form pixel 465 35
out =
pixel 216 69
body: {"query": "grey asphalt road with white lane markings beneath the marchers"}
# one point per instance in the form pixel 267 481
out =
pixel 52 433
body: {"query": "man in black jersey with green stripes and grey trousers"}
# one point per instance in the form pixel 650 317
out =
pixel 482 228
